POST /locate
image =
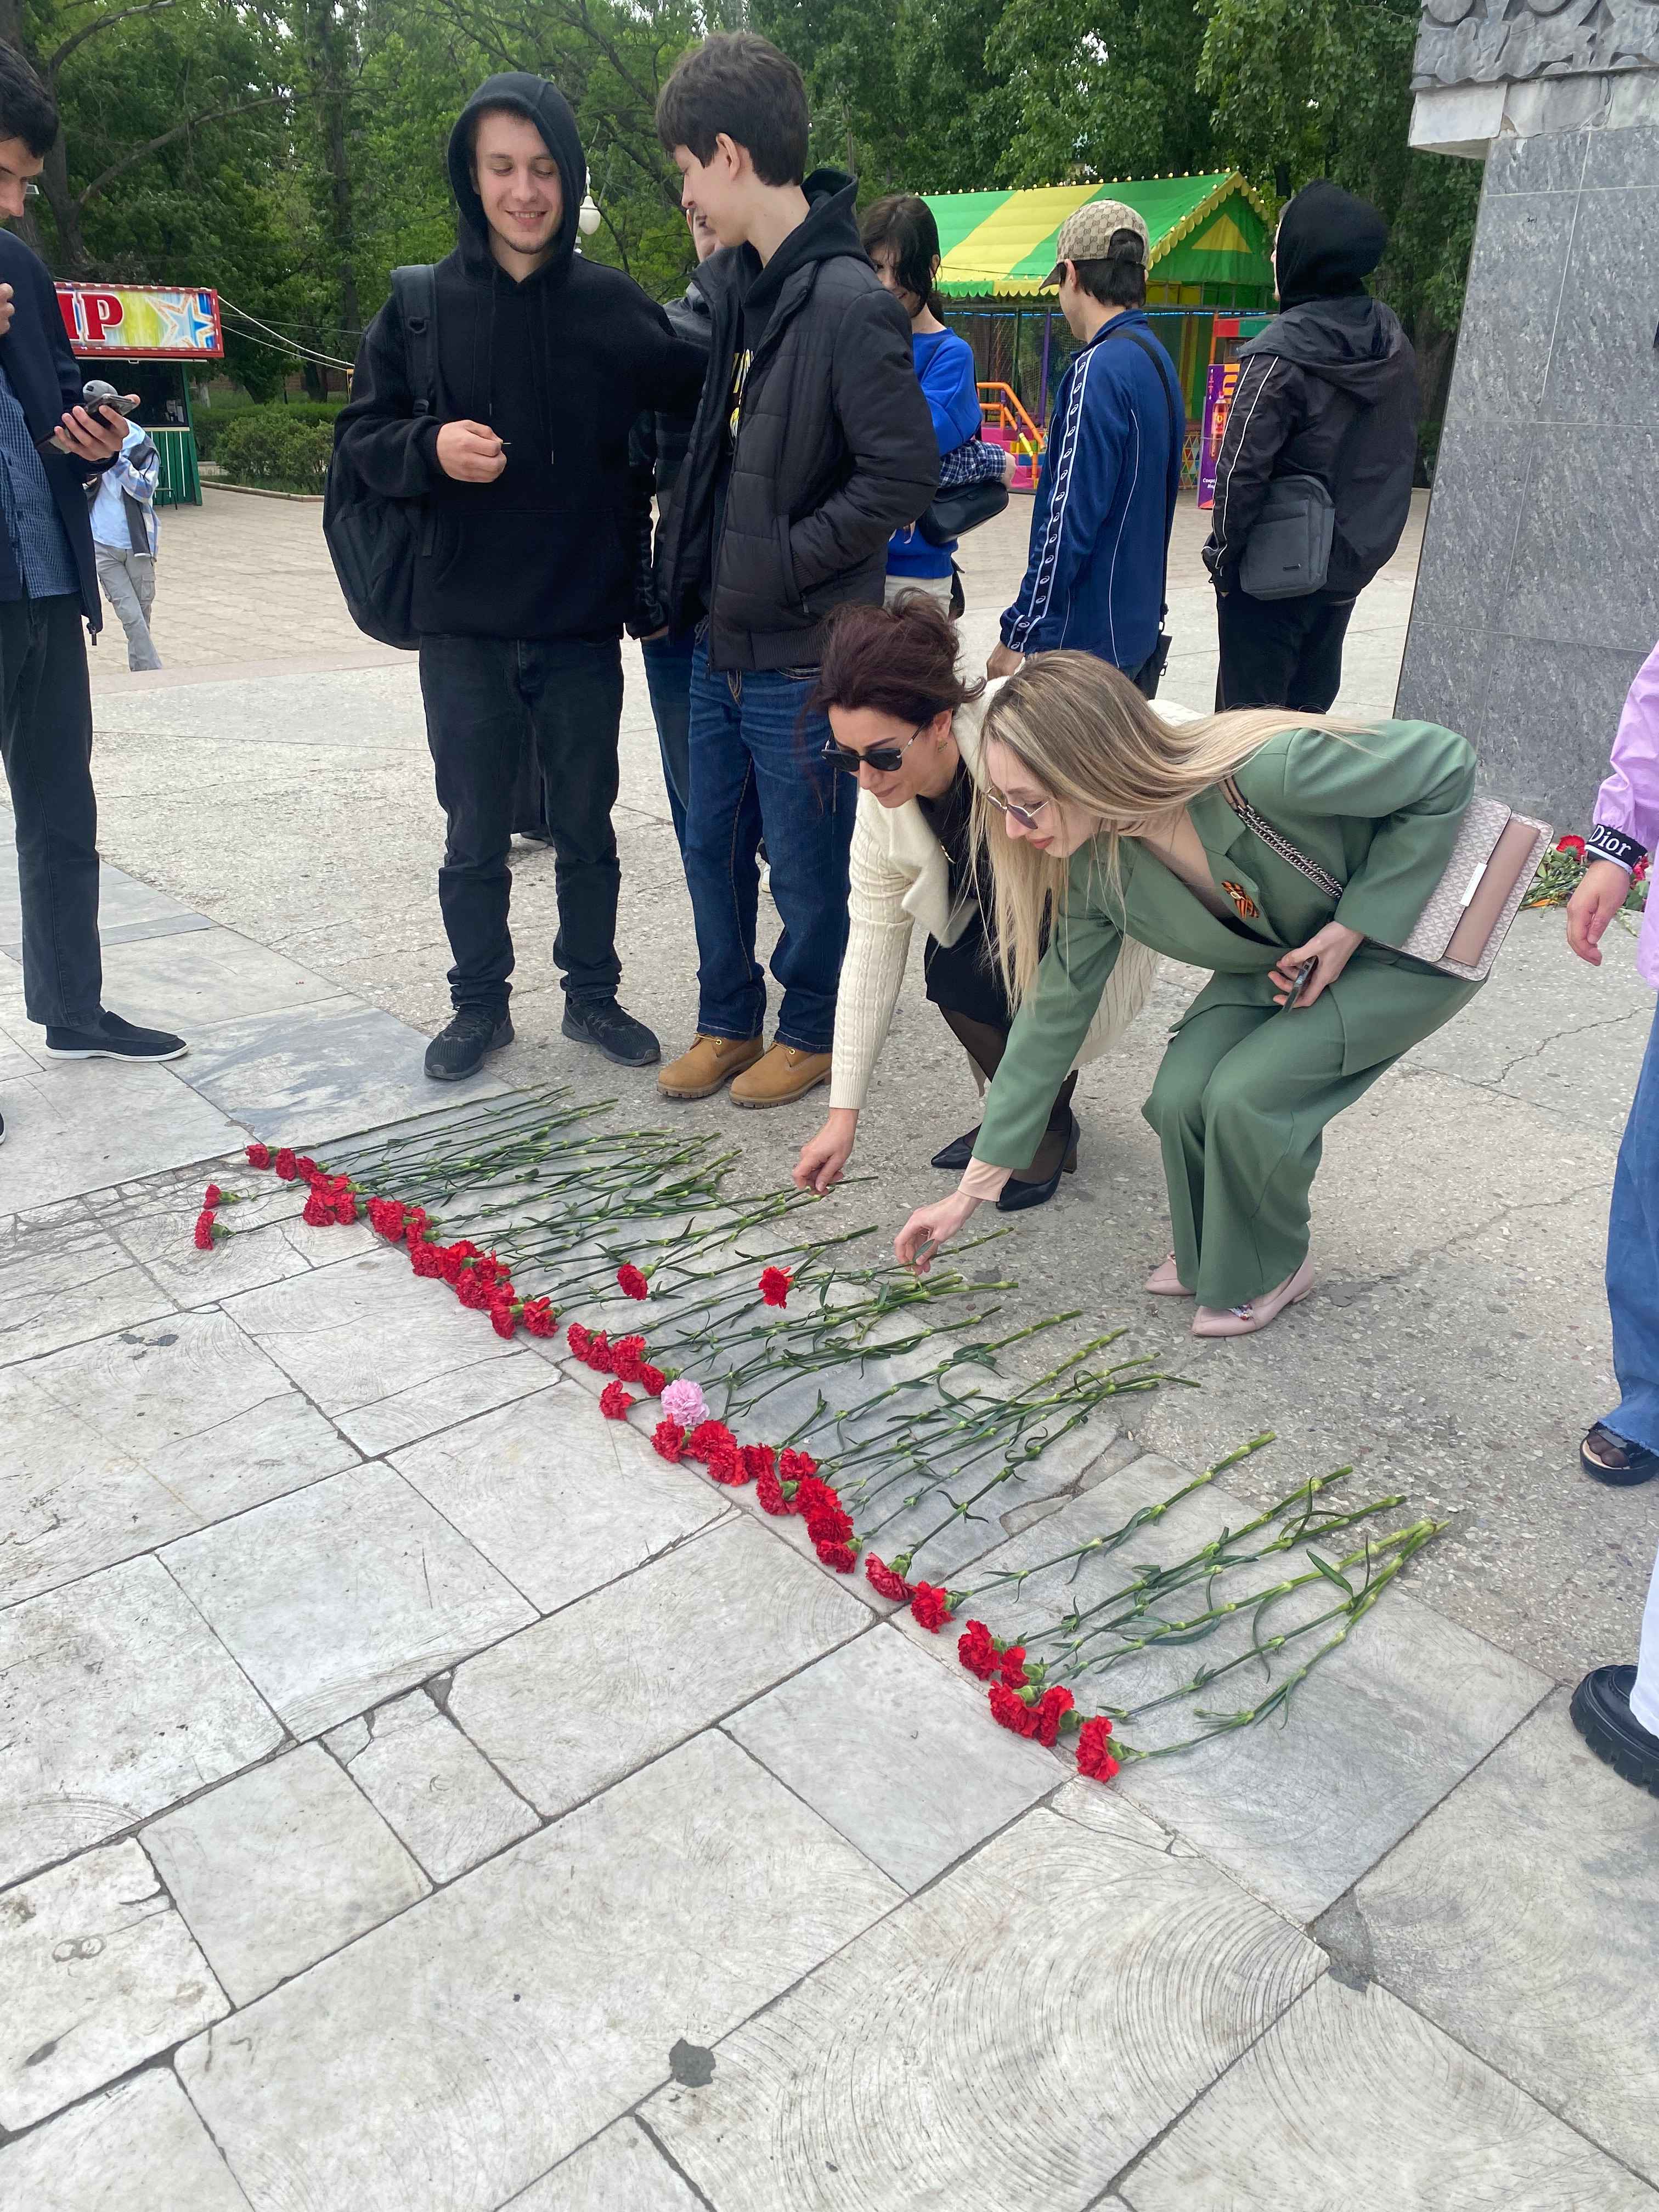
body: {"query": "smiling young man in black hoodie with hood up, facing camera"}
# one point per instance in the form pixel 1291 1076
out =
pixel 528 567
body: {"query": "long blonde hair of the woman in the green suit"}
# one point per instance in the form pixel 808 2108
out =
pixel 1089 738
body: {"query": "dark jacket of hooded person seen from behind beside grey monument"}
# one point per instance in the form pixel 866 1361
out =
pixel 1331 390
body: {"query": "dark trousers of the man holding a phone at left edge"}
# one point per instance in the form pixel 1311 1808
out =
pixel 48 744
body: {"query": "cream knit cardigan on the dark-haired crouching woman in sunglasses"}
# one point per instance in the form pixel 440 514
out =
pixel 899 879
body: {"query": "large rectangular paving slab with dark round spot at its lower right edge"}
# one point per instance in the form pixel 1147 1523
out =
pixel 455 2056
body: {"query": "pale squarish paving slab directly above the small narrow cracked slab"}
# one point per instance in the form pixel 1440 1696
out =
pixel 344 1594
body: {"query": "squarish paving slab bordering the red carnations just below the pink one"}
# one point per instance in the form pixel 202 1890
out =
pixel 559 1496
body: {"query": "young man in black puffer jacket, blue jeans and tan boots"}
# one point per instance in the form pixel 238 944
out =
pixel 811 448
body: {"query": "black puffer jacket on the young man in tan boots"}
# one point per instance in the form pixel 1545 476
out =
pixel 835 446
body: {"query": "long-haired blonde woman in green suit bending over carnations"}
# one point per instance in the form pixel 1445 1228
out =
pixel 1118 824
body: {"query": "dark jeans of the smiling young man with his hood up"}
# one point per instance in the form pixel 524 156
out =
pixel 486 698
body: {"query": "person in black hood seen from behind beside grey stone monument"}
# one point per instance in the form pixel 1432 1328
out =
pixel 1326 390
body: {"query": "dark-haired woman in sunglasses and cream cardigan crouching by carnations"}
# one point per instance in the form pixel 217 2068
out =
pixel 908 729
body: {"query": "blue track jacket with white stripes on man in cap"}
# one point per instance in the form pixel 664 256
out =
pixel 1105 503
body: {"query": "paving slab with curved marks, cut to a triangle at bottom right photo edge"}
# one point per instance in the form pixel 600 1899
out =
pixel 1357 2100
